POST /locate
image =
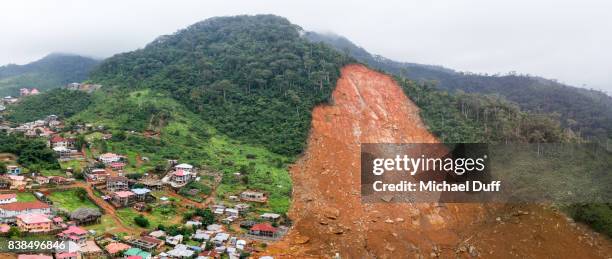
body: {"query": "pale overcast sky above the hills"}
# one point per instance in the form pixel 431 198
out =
pixel 566 40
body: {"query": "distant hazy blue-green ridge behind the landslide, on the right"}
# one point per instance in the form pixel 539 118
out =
pixel 586 112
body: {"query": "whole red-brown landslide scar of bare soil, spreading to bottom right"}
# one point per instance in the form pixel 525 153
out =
pixel 329 217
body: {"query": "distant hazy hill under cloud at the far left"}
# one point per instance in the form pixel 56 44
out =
pixel 52 71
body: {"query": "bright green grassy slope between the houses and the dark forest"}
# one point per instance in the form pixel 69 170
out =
pixel 178 133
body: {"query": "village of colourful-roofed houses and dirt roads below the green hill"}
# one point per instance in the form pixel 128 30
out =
pixel 107 205
